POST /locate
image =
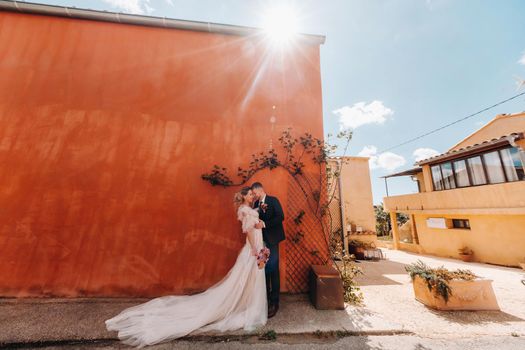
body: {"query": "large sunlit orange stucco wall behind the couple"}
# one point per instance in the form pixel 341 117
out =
pixel 105 130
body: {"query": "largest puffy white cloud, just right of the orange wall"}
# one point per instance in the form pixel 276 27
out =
pixel 362 113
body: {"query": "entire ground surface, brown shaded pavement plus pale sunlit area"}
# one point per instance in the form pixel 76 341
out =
pixel 390 309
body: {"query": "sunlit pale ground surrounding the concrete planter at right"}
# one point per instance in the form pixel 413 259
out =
pixel 388 292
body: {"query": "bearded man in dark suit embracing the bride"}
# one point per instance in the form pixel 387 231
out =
pixel 271 213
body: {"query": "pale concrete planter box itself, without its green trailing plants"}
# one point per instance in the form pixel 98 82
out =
pixel 466 295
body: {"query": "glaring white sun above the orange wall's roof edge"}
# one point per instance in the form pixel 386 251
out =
pixel 280 24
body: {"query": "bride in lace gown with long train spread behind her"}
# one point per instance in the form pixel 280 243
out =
pixel 237 301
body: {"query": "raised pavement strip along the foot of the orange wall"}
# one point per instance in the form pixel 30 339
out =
pixel 26 321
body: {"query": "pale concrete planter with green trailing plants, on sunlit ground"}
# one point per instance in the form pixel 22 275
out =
pixel 443 289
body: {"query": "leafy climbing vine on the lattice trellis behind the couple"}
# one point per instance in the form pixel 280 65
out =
pixel 318 192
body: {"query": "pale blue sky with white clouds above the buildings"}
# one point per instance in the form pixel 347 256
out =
pixel 391 69
